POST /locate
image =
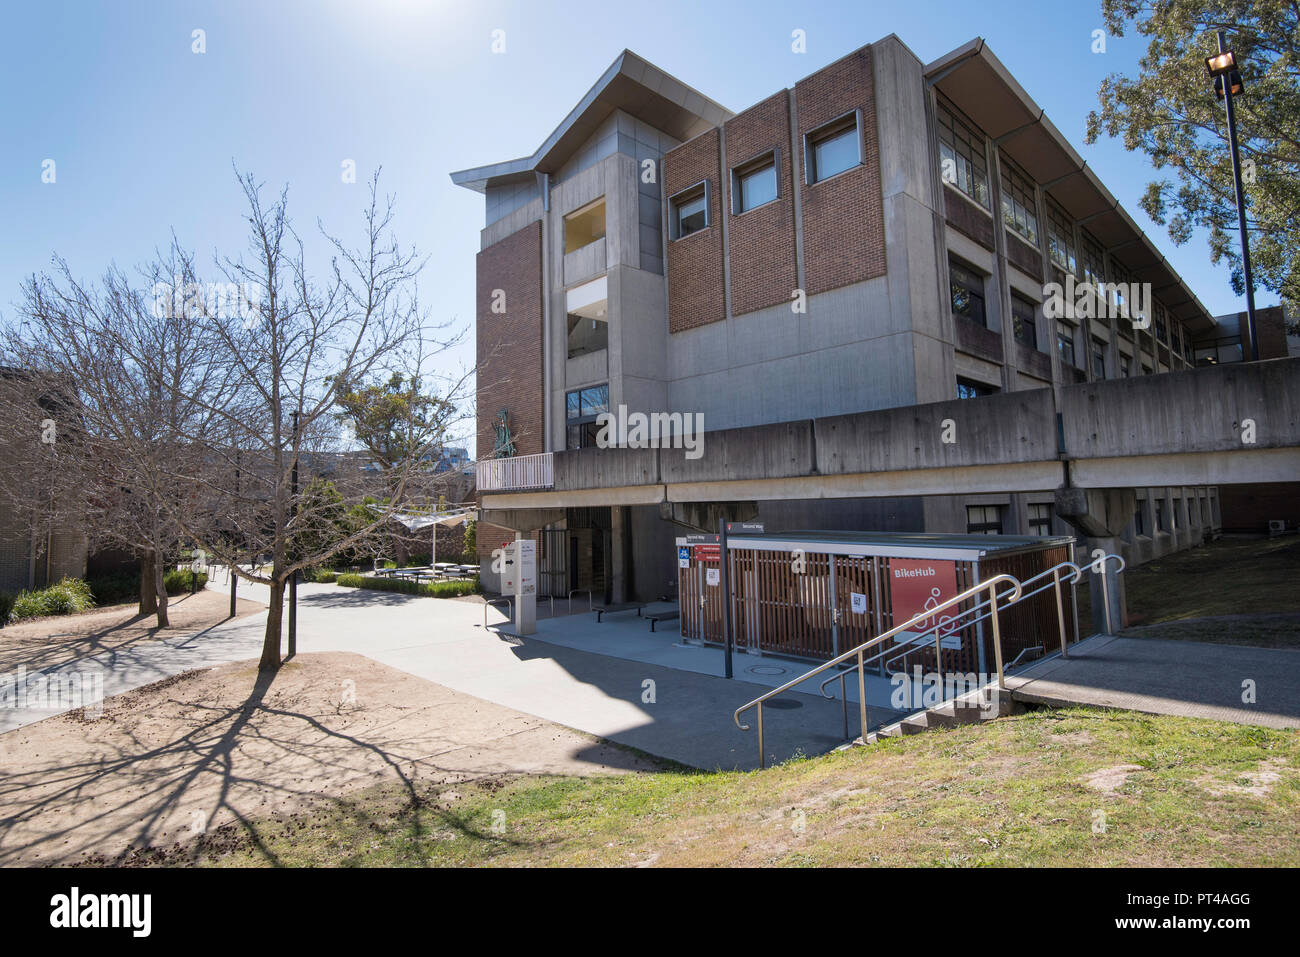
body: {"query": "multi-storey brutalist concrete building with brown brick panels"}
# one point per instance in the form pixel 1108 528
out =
pixel 855 285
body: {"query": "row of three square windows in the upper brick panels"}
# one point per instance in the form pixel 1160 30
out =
pixel 829 151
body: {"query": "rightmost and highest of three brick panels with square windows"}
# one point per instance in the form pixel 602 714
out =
pixel 844 237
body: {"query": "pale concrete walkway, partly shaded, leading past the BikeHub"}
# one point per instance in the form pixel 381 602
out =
pixel 681 714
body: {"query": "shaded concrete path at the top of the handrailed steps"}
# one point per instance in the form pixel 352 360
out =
pixel 1180 678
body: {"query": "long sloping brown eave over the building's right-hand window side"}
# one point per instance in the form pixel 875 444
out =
pixel 981 86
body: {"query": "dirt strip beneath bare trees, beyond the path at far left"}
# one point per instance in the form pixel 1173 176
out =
pixel 51 642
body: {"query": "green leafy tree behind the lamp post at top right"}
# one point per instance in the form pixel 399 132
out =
pixel 1169 111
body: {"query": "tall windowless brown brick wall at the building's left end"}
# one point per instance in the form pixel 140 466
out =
pixel 510 344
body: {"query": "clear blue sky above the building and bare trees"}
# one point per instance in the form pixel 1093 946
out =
pixel 144 132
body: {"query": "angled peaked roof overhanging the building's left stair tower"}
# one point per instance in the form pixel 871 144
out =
pixel 632 85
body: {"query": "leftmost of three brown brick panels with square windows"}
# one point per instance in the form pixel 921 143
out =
pixel 696 295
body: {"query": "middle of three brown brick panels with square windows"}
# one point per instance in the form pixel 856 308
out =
pixel 761 243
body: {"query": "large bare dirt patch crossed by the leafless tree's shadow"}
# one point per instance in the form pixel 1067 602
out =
pixel 222 747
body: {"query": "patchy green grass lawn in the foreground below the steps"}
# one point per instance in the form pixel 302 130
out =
pixel 1071 789
